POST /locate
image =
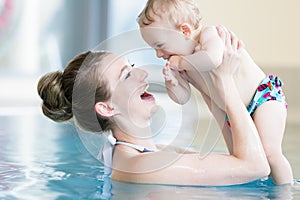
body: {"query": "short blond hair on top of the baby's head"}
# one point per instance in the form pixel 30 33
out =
pixel 176 11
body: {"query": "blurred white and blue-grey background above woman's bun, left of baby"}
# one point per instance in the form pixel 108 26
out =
pixel 38 37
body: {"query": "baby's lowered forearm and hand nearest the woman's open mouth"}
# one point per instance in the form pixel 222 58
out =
pixel 177 87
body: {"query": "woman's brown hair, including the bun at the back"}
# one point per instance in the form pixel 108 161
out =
pixel 74 92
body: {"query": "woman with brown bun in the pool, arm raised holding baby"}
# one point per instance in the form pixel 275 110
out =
pixel 102 92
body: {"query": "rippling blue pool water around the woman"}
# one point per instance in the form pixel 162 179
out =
pixel 40 159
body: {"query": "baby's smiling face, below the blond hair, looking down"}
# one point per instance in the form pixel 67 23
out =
pixel 167 40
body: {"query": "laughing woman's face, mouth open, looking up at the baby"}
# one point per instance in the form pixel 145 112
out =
pixel 128 88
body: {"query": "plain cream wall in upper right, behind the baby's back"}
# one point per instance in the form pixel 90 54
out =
pixel 269 28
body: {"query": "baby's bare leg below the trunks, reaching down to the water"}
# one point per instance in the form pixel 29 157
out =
pixel 270 120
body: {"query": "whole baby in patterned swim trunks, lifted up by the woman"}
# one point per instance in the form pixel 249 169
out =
pixel 173 28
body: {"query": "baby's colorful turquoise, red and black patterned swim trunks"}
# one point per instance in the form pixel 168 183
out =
pixel 269 89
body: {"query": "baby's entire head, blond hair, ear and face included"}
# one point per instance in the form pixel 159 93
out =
pixel 171 27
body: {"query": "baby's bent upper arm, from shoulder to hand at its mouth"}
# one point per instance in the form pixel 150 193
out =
pixel 211 51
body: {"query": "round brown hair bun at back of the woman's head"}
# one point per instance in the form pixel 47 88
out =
pixel 55 105
